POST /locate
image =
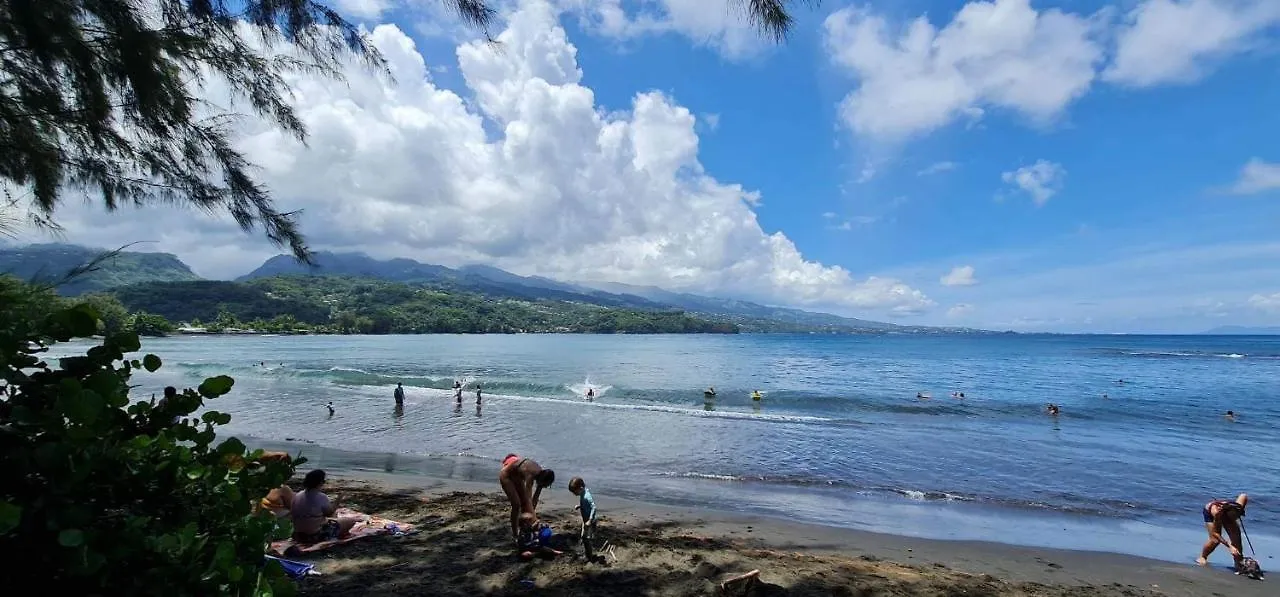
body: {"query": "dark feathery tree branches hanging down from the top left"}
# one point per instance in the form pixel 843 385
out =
pixel 104 95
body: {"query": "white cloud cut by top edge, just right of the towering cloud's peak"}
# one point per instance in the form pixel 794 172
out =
pixel 720 25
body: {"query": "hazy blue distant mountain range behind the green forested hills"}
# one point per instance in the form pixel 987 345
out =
pixel 52 262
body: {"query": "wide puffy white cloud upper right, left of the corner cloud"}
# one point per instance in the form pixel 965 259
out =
pixel 993 54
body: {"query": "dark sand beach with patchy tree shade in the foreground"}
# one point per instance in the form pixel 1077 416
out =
pixel 464 550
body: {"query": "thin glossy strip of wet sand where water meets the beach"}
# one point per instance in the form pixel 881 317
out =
pixel 885 516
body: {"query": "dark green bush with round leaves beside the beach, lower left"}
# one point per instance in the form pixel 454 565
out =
pixel 103 495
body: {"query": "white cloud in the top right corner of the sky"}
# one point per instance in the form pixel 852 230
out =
pixel 1177 42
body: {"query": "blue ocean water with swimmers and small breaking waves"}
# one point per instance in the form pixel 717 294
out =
pixel 840 436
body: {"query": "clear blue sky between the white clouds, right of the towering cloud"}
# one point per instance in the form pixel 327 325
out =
pixel 1146 170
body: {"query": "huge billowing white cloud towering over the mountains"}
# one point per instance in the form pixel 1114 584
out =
pixel 534 179
